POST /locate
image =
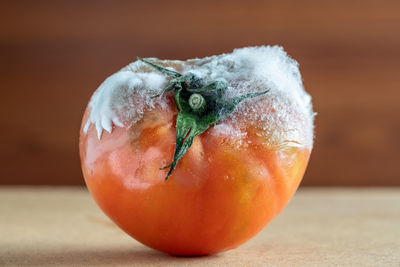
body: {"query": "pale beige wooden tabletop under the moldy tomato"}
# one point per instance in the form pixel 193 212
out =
pixel 42 226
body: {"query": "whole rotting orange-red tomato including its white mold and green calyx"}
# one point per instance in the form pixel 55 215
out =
pixel 239 172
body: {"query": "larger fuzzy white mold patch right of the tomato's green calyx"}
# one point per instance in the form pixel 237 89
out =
pixel 285 113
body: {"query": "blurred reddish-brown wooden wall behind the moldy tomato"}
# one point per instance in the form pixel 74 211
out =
pixel 54 54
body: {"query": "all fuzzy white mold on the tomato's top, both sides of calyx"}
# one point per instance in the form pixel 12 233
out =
pixel 284 113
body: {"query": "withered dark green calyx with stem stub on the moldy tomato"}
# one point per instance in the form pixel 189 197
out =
pixel 200 106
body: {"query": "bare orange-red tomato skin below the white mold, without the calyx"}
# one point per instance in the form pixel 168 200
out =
pixel 222 192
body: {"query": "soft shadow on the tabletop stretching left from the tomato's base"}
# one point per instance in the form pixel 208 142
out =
pixel 86 257
